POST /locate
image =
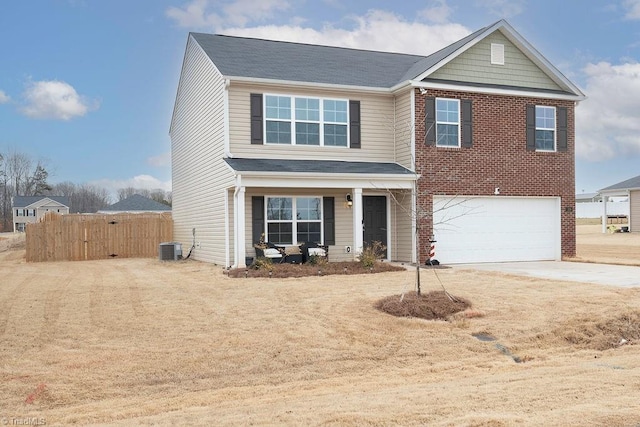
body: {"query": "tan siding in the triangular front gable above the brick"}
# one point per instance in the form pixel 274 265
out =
pixel 475 66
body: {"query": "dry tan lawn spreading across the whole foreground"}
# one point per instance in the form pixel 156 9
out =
pixel 138 341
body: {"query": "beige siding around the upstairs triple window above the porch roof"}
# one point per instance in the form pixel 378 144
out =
pixel 376 124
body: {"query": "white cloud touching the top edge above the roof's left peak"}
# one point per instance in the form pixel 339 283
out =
pixel 196 14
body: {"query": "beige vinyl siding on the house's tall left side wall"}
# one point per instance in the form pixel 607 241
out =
pixel 200 179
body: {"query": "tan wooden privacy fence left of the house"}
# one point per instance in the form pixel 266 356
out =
pixel 77 237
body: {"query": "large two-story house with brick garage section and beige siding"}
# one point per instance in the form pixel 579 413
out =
pixel 314 143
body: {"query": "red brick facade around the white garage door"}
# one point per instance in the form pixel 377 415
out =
pixel 498 158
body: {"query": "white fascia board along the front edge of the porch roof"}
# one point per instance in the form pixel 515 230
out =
pixel 298 180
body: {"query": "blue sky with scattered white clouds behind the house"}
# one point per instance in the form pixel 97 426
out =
pixel 87 86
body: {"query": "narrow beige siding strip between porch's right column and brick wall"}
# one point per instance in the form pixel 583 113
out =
pixel 401 226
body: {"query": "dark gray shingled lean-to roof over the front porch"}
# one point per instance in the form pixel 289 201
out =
pixel 316 166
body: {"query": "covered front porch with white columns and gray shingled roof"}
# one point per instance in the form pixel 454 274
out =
pixel 340 205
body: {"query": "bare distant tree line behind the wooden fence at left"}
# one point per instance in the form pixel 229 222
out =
pixel 20 175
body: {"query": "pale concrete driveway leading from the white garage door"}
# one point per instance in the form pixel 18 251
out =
pixel 603 274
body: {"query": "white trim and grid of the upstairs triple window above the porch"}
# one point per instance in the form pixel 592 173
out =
pixel 293 120
